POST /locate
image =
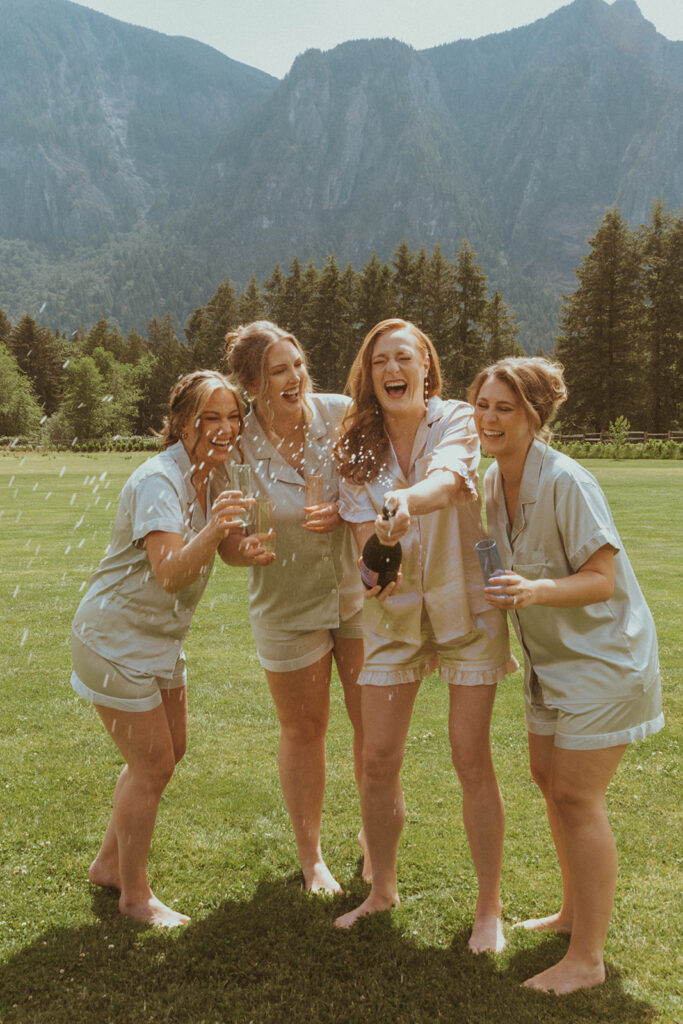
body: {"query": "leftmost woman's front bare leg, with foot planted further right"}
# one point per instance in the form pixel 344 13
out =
pixel 146 742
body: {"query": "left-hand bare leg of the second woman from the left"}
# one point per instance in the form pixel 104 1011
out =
pixel 303 702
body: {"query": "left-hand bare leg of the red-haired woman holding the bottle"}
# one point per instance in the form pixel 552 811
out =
pixel 387 717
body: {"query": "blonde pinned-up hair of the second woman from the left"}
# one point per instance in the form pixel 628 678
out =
pixel 247 357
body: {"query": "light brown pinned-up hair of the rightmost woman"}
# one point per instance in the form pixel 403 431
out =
pixel 539 385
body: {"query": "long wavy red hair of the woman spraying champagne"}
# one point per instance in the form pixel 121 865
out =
pixel 362 450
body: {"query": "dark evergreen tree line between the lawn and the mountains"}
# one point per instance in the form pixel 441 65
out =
pixel 620 336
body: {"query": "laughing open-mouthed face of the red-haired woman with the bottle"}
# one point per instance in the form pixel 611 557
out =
pixel 399 370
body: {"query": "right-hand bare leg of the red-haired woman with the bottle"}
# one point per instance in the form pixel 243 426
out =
pixel 484 815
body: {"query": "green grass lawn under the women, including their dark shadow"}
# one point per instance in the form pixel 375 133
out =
pixel 259 950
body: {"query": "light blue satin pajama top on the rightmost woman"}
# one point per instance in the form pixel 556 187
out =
pixel 601 654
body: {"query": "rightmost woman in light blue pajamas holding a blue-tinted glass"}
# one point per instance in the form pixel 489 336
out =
pixel 592 680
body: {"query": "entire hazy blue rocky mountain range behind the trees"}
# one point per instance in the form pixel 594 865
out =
pixel 138 170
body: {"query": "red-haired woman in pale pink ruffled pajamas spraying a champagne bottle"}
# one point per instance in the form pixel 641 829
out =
pixel 406 448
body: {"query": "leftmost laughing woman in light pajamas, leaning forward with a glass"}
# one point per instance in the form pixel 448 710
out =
pixel 129 631
